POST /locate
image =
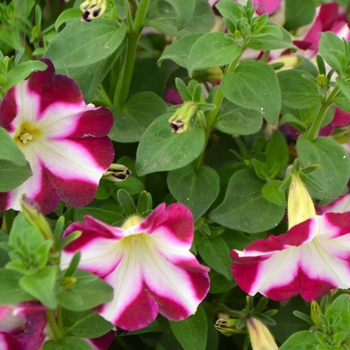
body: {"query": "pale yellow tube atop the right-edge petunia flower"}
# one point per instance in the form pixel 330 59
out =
pixel 300 205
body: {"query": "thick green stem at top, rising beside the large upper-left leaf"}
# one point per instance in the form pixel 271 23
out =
pixel 122 90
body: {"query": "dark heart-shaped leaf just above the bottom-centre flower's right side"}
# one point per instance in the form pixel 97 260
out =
pixel 196 188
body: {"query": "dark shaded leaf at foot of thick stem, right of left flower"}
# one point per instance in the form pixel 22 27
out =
pixel 137 114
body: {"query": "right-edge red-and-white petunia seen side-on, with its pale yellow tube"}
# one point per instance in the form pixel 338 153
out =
pixel 310 259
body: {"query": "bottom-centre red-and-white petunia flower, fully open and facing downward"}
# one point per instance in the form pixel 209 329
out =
pixel 148 263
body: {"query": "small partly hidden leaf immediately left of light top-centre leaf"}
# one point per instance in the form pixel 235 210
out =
pixel 179 50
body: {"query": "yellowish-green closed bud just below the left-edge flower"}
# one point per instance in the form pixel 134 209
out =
pixel 31 211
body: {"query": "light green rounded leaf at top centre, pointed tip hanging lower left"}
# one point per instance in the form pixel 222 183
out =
pixel 212 50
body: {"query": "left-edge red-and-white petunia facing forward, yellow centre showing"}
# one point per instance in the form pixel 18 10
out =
pixel 63 139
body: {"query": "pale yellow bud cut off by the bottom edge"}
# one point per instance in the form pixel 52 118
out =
pixel 260 336
